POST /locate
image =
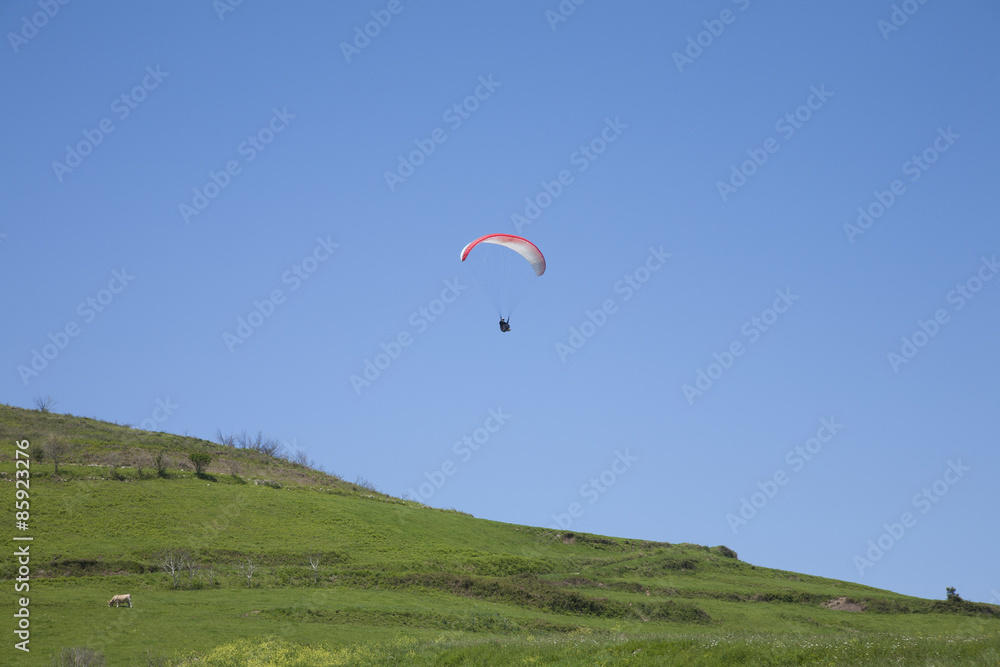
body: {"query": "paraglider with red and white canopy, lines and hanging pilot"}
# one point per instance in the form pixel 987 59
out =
pixel 506 266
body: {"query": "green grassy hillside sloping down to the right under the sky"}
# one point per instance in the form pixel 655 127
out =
pixel 298 567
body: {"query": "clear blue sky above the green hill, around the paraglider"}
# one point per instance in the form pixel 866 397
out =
pixel 217 213
